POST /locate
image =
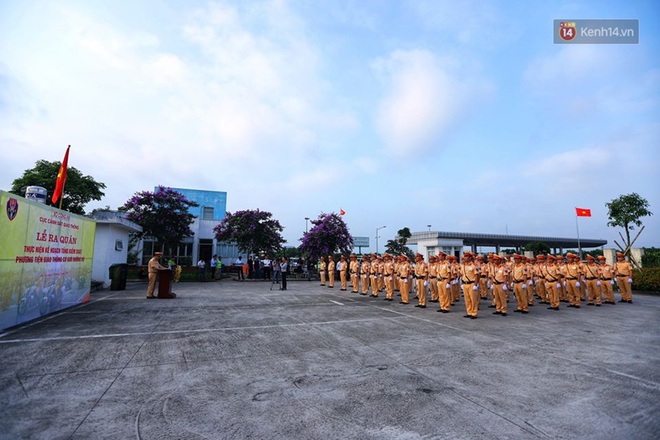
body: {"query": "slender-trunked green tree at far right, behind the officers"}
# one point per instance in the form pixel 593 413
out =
pixel 626 212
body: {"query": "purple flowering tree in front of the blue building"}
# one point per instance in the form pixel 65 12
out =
pixel 163 214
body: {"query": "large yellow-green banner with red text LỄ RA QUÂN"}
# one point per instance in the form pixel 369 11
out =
pixel 45 259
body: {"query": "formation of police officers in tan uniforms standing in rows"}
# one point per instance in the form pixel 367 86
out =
pixel 551 279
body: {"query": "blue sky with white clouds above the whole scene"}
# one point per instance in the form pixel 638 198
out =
pixel 461 115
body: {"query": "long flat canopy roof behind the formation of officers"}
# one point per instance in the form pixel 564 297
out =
pixel 504 240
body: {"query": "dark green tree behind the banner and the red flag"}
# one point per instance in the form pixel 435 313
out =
pixel 78 190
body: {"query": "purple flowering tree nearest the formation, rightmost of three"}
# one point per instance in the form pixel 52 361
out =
pixel 329 234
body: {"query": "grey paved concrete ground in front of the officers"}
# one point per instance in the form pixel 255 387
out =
pixel 235 360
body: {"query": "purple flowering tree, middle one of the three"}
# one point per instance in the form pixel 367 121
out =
pixel 254 231
